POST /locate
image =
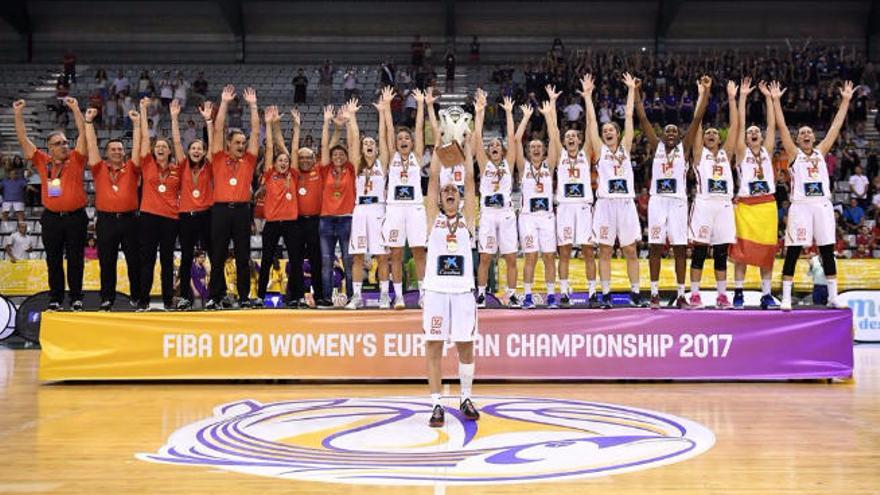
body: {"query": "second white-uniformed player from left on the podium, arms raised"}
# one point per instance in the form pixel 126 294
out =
pixel 405 219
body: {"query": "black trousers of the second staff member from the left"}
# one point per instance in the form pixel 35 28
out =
pixel 115 230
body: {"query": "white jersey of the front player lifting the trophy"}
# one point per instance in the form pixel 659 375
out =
pixel 449 263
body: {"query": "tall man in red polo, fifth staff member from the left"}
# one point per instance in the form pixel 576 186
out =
pixel 233 171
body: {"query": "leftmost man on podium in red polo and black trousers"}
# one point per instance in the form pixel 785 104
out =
pixel 64 218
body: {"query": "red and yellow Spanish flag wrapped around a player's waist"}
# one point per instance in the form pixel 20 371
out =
pixel 756 231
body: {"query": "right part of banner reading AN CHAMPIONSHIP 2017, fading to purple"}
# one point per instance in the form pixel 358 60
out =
pixel 666 344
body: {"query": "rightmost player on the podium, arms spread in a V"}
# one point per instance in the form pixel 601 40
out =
pixel 811 215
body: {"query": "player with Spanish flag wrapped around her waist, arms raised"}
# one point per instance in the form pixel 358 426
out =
pixel 755 212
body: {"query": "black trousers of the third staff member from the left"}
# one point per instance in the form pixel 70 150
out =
pixel 157 232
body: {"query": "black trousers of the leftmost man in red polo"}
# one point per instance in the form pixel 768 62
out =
pixel 64 235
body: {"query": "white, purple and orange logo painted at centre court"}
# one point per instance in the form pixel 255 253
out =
pixel 386 441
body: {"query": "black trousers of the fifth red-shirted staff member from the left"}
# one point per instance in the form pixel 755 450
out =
pixel 230 223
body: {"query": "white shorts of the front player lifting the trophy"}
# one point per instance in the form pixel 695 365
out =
pixel 448 316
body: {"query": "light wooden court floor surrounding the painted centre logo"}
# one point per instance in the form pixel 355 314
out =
pixel 770 437
